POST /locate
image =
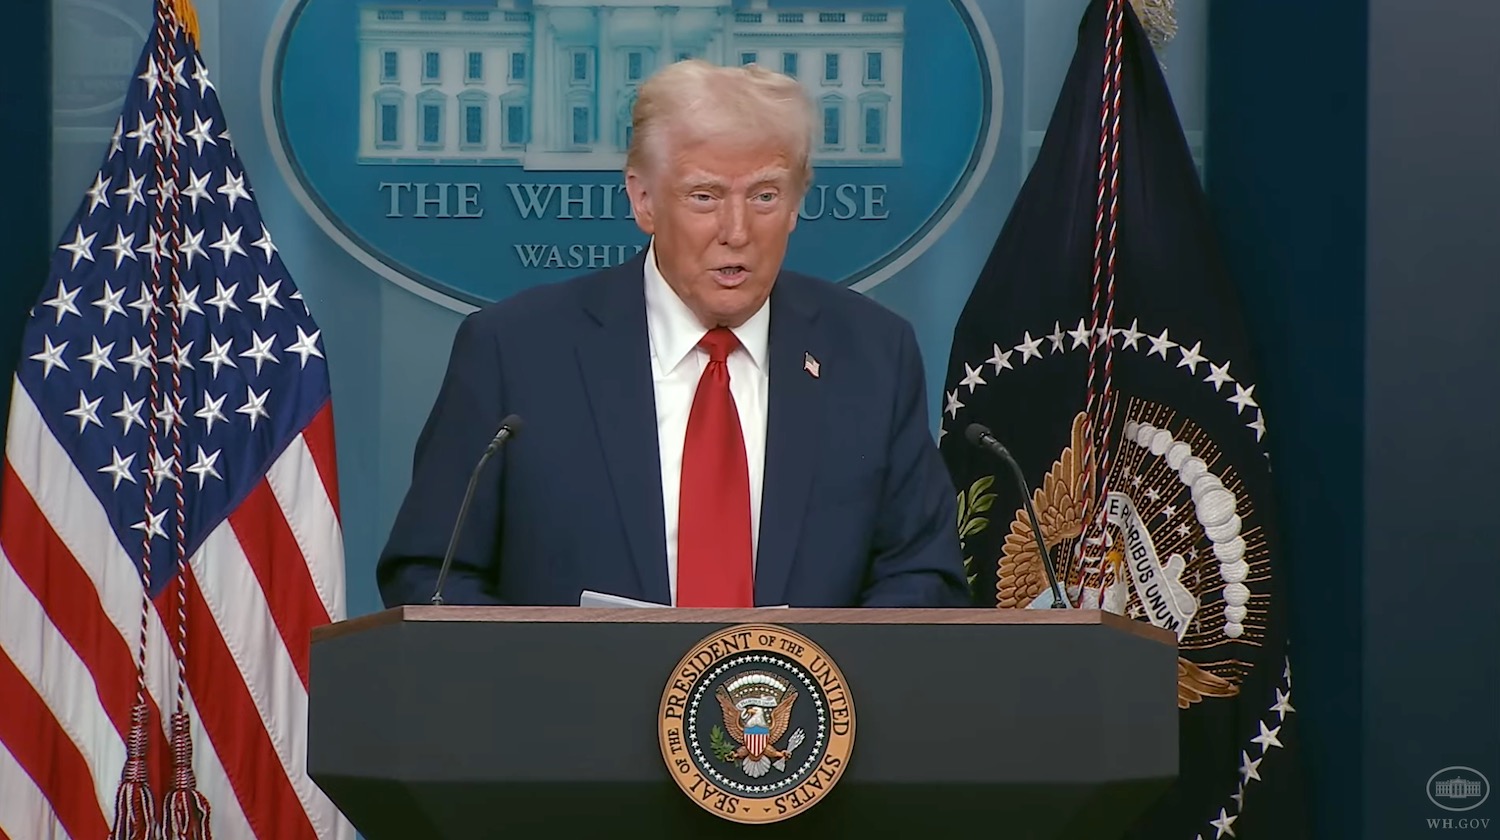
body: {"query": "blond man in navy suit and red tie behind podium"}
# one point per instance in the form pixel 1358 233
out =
pixel 701 427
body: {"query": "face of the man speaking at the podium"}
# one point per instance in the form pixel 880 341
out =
pixel 721 215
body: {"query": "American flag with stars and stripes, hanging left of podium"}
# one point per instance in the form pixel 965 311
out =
pixel 170 436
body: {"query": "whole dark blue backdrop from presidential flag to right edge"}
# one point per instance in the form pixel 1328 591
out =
pixel 1355 178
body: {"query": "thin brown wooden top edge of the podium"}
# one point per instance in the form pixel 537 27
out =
pixel 764 616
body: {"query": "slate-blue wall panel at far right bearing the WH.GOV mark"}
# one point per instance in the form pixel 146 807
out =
pixel 1432 595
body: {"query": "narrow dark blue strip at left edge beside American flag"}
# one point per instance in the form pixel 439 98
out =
pixel 26 152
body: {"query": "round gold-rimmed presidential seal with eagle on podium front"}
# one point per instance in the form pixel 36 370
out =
pixel 757 724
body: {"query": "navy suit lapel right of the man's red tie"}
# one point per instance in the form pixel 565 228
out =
pixel 791 446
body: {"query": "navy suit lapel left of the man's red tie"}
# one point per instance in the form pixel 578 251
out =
pixel 616 364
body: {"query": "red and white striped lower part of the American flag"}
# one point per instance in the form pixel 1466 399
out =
pixel 71 601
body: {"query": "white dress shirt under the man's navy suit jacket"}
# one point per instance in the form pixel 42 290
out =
pixel 677 364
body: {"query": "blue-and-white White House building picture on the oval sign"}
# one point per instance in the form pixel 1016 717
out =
pixel 548 85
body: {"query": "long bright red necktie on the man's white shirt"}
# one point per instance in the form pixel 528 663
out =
pixel 713 527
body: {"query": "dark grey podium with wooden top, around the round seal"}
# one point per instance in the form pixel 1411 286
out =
pixel 467 722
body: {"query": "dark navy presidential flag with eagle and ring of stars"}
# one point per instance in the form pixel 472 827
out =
pixel 1105 347
